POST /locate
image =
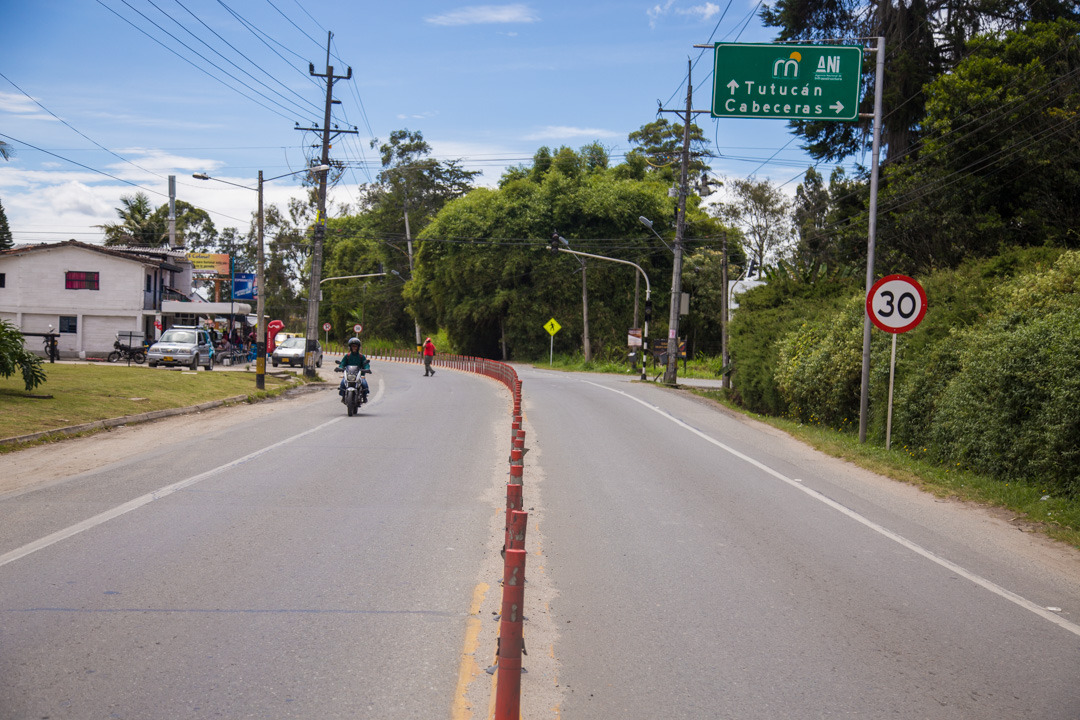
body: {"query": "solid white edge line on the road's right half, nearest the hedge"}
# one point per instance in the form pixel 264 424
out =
pixel 949 565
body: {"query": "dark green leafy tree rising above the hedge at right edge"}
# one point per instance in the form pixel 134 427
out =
pixel 1001 164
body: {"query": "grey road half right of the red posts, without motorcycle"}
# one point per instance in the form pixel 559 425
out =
pixel 706 568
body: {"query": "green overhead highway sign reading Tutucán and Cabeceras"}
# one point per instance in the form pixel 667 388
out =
pixel 787 83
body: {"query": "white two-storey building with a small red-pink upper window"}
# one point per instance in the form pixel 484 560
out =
pixel 90 293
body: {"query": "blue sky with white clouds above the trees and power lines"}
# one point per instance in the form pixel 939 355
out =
pixel 103 99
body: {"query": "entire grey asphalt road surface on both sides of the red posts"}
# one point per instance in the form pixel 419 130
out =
pixel 683 564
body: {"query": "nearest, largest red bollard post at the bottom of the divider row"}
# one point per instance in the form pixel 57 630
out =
pixel 508 694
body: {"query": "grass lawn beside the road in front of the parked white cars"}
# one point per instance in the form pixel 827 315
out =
pixel 86 393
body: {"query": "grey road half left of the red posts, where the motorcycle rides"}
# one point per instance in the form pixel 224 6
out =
pixel 314 566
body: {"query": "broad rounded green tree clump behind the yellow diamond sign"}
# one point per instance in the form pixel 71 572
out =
pixel 487 277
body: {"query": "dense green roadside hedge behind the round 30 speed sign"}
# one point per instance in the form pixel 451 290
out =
pixel 991 379
